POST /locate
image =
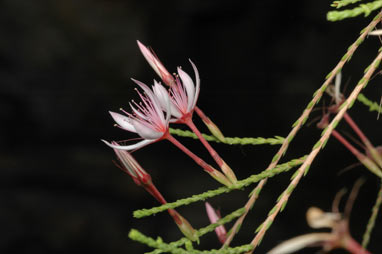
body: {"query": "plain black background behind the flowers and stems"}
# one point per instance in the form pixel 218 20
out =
pixel 64 64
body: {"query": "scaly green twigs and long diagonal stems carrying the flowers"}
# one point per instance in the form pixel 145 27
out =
pixel 185 246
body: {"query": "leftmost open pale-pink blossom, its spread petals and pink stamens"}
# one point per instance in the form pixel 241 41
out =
pixel 147 119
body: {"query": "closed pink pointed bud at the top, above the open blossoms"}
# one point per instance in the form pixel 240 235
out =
pixel 156 64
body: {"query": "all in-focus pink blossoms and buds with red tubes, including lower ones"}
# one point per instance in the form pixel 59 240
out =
pixel 150 119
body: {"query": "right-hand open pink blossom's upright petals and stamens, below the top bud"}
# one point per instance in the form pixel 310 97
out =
pixel 183 95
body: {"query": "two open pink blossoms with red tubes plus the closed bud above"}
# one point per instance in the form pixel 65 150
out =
pixel 150 118
